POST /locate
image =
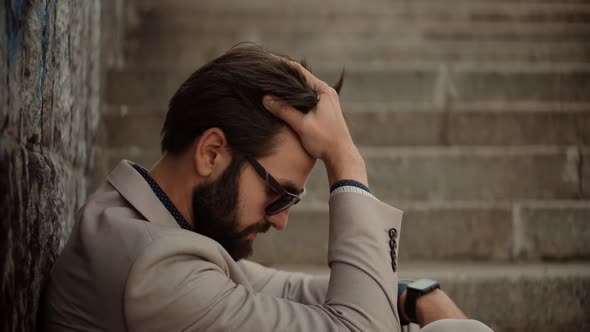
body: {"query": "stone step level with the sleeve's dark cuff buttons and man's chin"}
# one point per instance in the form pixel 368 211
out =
pixel 500 231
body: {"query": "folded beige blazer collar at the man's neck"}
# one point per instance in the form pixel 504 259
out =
pixel 131 185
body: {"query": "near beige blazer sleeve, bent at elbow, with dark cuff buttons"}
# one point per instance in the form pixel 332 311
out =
pixel 172 287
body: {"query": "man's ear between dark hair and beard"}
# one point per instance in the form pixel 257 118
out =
pixel 211 154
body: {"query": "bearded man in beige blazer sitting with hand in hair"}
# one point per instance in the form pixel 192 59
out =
pixel 162 250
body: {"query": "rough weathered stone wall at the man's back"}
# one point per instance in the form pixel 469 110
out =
pixel 50 69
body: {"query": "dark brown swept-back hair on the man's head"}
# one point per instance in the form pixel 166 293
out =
pixel 227 93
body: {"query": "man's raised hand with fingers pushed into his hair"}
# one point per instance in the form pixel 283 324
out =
pixel 323 132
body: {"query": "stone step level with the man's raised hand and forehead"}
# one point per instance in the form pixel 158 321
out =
pixel 377 125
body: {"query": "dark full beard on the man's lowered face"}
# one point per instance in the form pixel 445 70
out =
pixel 215 210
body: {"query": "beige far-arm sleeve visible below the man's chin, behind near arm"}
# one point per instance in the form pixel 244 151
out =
pixel 294 286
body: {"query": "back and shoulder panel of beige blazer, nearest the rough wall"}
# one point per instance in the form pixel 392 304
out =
pixel 87 283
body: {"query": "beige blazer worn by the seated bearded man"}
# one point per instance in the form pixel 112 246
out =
pixel 129 266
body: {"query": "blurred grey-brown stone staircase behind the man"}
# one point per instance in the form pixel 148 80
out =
pixel 473 117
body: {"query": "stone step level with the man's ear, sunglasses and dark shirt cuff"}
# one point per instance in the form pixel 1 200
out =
pixel 447 173
